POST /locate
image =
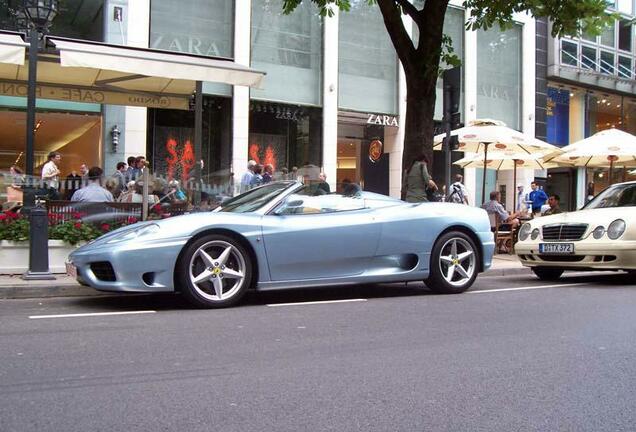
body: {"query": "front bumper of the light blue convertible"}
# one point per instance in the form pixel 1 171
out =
pixel 137 266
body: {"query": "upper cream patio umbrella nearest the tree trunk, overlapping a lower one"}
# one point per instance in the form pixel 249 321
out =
pixel 483 135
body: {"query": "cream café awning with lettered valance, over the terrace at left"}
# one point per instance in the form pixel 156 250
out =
pixel 81 71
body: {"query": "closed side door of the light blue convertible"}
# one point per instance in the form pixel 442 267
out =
pixel 320 239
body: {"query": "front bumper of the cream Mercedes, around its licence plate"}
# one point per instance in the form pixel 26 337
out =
pixel 588 255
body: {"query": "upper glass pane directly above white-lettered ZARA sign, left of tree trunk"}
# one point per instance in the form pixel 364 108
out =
pixel 367 62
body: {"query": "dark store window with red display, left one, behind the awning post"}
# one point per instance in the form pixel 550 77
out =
pixel 171 142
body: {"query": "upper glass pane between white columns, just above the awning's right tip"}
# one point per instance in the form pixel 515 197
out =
pixel 289 49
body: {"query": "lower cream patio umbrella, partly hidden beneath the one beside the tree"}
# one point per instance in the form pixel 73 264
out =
pixel 501 161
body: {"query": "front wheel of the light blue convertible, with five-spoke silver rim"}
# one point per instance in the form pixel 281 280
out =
pixel 214 271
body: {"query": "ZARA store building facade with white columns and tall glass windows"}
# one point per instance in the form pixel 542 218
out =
pixel 333 89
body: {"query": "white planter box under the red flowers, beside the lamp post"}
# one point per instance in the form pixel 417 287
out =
pixel 14 256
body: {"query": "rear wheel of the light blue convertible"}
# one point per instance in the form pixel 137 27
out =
pixel 454 264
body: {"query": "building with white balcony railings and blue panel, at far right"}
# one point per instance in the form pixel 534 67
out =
pixel 591 86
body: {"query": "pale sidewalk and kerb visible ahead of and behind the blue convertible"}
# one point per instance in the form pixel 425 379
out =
pixel 14 287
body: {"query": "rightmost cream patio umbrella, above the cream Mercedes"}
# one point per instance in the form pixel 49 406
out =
pixel 607 148
